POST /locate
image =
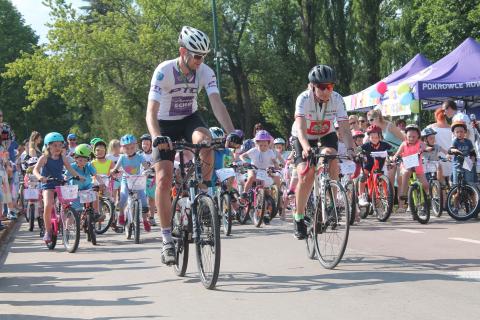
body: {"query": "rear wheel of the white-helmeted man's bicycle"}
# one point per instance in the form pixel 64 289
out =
pixel 180 240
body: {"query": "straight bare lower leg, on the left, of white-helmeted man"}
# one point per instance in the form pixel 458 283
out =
pixel 163 201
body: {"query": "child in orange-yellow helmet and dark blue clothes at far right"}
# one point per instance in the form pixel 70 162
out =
pixel 462 146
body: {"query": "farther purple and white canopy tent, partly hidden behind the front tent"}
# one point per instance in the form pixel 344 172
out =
pixel 362 101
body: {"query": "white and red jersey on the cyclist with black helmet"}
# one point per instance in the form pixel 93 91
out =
pixel 319 122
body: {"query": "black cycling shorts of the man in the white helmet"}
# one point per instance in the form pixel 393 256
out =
pixel 177 130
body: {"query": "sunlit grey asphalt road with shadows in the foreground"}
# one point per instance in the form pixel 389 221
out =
pixel 393 270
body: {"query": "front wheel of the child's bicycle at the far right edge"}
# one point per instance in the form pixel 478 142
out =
pixel 465 199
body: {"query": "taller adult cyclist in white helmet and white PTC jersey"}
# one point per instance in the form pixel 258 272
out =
pixel 172 115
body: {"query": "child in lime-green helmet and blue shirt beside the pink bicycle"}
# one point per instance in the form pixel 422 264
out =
pixel 85 169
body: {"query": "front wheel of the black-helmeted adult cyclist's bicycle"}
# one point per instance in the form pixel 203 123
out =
pixel 331 227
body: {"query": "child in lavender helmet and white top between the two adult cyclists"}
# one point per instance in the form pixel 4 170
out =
pixel 262 157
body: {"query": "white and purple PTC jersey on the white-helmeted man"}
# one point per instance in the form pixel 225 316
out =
pixel 177 93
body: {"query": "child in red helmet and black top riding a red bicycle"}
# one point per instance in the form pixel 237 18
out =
pixel 374 144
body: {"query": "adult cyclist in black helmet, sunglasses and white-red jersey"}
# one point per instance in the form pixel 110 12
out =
pixel 316 110
